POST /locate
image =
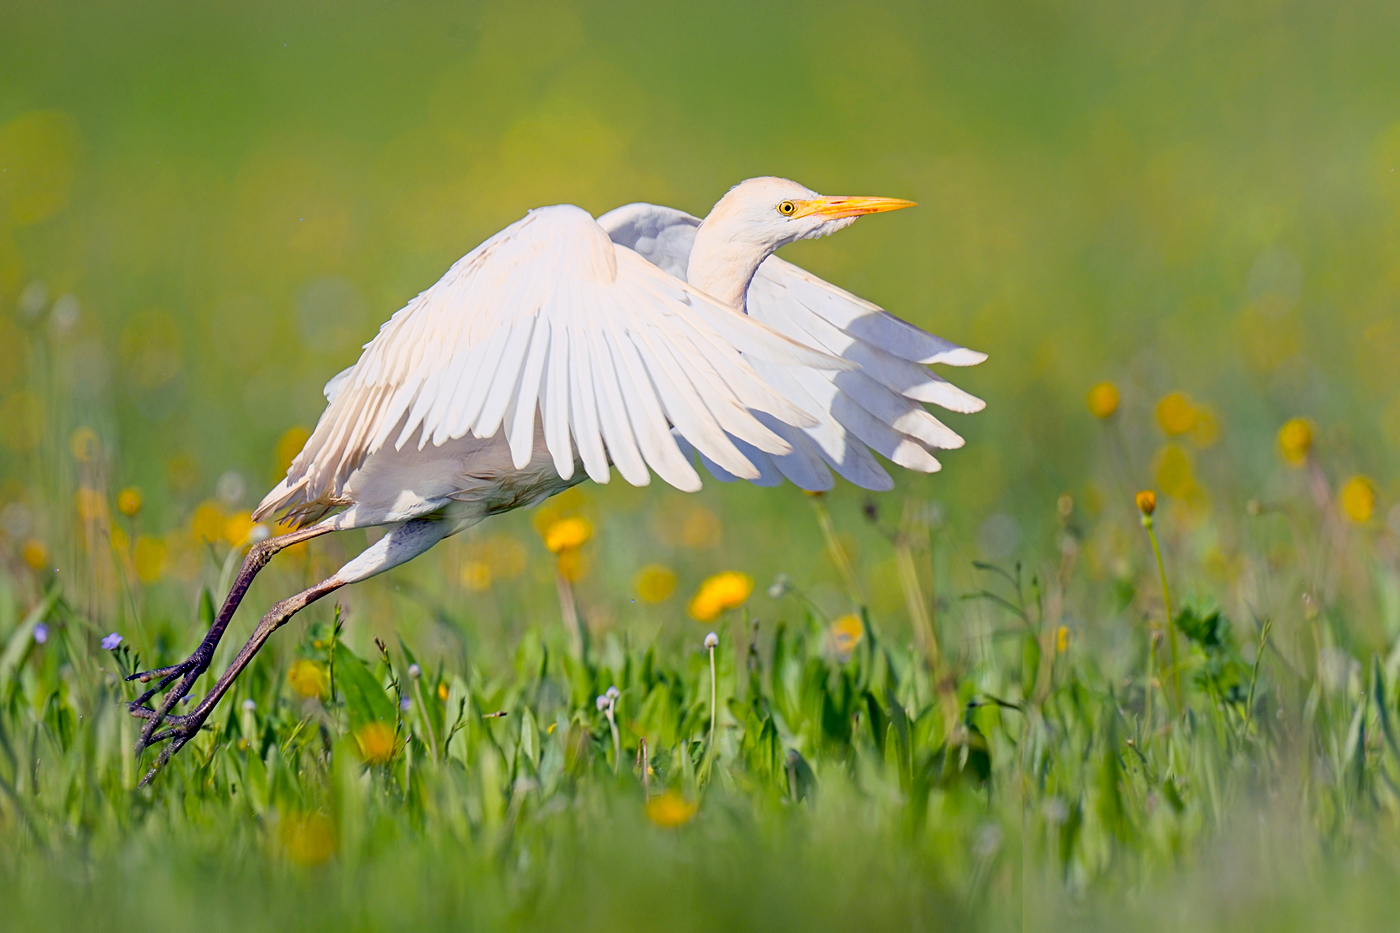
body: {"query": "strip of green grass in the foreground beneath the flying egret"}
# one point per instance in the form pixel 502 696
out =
pixel 1032 775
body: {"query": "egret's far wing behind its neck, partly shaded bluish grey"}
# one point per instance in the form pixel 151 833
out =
pixel 877 406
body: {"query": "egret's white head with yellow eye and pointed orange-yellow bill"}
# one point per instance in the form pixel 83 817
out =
pixel 772 212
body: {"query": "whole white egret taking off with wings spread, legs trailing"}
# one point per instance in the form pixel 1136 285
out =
pixel 565 347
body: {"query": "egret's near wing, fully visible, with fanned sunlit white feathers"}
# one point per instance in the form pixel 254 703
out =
pixel 551 316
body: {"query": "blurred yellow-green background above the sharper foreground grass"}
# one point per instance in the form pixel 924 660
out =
pixel 205 212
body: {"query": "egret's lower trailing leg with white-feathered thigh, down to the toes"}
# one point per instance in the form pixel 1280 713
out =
pixel 402 544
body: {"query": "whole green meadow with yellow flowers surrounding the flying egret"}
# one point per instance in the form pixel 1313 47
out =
pixel 1021 693
